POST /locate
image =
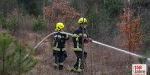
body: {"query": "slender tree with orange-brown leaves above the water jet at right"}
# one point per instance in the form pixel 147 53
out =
pixel 130 30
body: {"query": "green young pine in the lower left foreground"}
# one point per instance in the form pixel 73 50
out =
pixel 12 55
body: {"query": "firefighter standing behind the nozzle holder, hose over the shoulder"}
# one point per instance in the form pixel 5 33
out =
pixel 59 46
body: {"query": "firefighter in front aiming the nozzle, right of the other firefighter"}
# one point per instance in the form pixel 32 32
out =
pixel 78 35
